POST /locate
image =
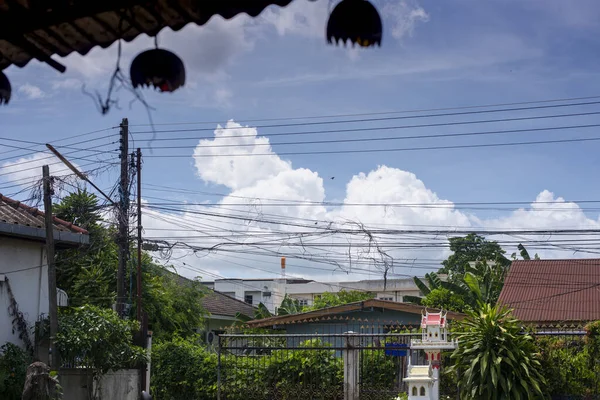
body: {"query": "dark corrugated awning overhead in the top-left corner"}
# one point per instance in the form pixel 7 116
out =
pixel 40 29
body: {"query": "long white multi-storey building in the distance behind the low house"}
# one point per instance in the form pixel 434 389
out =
pixel 271 292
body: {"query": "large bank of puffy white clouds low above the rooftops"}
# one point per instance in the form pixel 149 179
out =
pixel 317 233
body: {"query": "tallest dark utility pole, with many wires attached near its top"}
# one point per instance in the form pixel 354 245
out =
pixel 123 216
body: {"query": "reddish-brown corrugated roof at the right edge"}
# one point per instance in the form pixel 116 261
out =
pixel 551 291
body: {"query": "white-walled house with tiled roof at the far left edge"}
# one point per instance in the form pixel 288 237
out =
pixel 23 268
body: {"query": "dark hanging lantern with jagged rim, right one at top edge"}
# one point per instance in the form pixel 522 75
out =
pixel 357 21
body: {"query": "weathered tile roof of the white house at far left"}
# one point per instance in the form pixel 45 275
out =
pixel 16 213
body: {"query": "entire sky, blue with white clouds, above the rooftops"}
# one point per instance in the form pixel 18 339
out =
pixel 233 183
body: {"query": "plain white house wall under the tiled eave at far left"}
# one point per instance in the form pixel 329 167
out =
pixel 21 263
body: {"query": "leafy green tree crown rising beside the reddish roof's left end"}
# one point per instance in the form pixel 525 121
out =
pixel 472 248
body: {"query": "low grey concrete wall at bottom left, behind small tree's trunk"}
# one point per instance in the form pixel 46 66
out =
pixel 122 385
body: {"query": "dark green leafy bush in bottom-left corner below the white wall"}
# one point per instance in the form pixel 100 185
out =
pixel 13 368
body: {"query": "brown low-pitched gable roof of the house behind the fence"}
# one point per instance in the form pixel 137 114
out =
pixel 375 303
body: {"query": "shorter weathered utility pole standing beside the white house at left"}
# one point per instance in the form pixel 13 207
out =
pixel 52 303
